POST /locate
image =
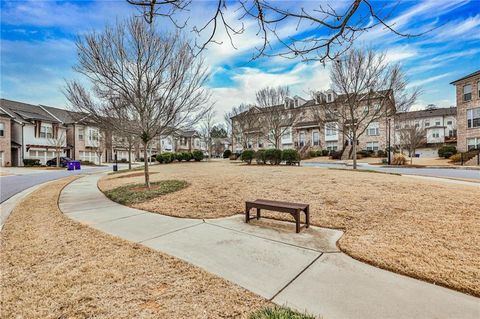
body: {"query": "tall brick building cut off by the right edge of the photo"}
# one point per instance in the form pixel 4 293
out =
pixel 468 111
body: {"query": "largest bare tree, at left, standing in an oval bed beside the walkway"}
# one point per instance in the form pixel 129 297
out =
pixel 142 82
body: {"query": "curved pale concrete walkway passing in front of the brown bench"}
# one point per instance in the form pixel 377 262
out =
pixel 305 271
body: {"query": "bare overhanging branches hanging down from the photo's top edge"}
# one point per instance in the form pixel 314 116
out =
pixel 336 27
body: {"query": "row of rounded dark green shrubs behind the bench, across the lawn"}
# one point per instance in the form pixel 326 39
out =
pixel 271 156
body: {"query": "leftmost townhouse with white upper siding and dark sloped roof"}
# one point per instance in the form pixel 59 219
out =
pixel 34 133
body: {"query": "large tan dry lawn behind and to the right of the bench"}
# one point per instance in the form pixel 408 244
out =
pixel 424 229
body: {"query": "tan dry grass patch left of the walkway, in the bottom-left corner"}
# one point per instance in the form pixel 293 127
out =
pixel 52 267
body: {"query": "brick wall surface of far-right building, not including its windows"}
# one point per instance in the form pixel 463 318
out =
pixel 463 132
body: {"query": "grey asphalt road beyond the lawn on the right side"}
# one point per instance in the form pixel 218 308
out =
pixel 454 173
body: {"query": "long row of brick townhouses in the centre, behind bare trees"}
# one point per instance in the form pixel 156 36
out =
pixel 314 127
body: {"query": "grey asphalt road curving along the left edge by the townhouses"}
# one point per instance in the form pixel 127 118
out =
pixel 11 185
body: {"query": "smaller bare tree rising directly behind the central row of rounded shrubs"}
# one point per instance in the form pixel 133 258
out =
pixel 277 116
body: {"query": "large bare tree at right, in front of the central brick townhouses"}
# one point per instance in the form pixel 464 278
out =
pixel 366 89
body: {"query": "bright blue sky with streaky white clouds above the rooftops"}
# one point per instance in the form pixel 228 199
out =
pixel 38 51
